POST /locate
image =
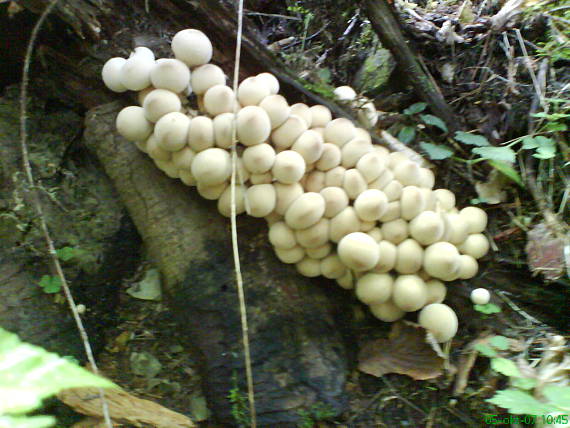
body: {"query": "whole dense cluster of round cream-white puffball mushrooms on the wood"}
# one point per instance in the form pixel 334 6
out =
pixel 337 205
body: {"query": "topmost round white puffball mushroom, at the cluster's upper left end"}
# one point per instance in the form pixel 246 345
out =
pixel 192 47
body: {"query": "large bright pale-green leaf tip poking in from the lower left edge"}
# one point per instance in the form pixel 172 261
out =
pixel 29 374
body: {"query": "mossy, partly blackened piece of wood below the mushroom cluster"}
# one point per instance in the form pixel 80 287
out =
pixel 297 351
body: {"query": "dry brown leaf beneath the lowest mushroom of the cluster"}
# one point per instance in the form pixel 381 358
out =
pixel 406 352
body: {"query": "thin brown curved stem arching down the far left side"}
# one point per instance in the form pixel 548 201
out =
pixel 37 205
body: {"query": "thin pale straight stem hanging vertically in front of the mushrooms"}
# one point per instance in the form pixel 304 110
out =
pixel 235 246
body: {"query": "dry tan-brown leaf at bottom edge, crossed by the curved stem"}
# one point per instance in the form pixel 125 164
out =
pixel 123 408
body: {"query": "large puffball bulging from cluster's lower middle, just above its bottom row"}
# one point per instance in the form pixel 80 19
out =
pixel 358 251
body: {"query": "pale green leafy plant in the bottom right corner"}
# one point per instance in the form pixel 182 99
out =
pixel 521 397
